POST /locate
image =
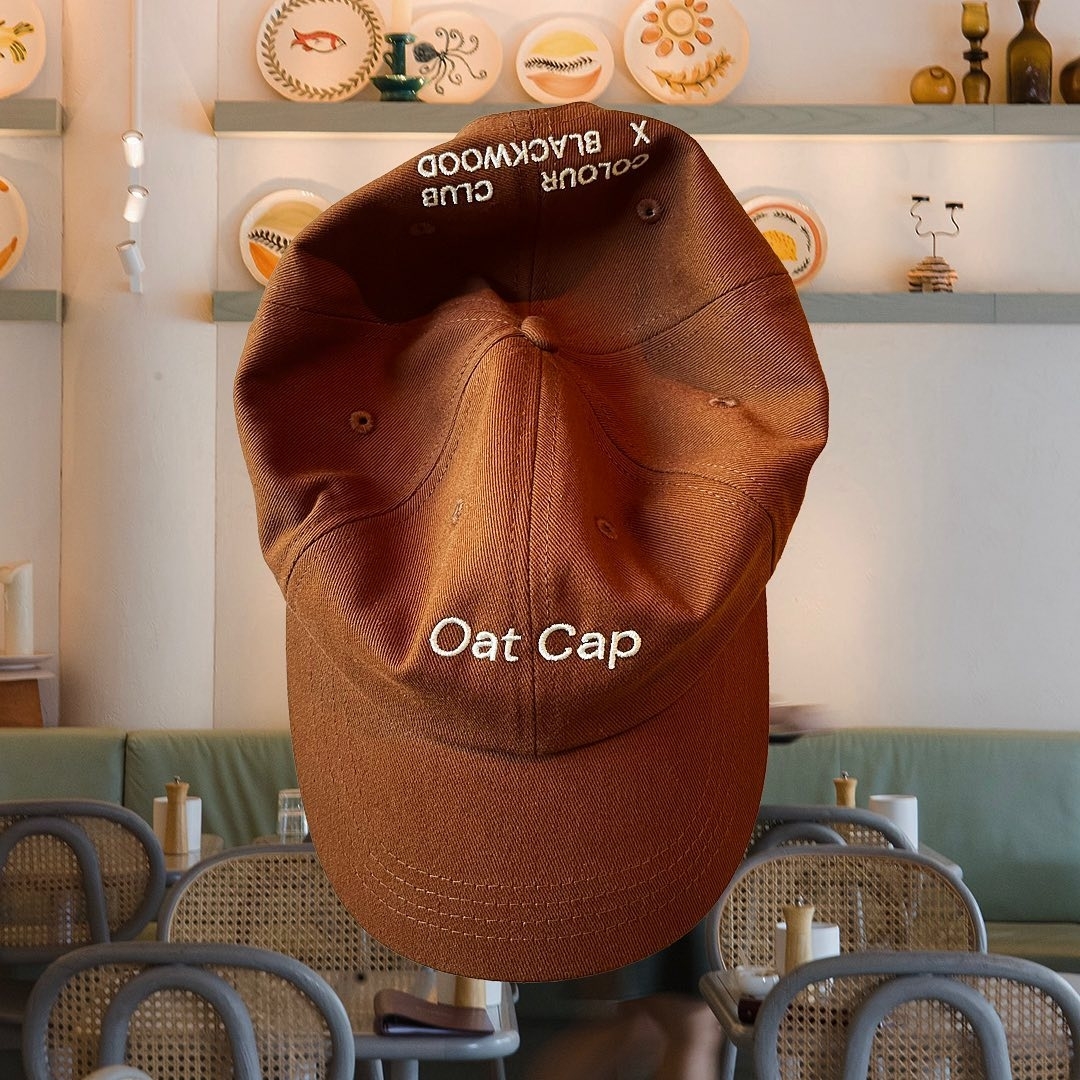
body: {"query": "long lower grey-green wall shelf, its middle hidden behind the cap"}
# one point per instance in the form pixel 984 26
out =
pixel 1046 308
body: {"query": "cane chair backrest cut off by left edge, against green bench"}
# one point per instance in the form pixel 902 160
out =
pixel 74 872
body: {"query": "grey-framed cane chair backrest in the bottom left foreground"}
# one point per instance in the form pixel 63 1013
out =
pixel 198 1012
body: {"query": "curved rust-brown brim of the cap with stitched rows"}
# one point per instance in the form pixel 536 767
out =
pixel 549 868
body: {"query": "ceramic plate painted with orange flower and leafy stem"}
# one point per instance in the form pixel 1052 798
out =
pixel 687 52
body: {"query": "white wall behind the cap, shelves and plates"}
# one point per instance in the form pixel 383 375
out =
pixel 931 576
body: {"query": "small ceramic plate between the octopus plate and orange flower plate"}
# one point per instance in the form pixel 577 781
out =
pixel 565 60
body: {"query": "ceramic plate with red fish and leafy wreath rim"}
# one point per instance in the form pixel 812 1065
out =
pixel 320 50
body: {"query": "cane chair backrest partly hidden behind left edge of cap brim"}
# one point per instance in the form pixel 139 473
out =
pixel 275 897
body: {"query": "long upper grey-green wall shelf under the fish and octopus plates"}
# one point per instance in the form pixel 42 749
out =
pixel 890 121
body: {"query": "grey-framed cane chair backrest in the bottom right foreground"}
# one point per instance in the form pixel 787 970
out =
pixel 920 1015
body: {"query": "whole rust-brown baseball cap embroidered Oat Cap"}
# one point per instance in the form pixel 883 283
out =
pixel 529 422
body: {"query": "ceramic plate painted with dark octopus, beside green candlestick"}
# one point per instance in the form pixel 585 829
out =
pixel 458 55
